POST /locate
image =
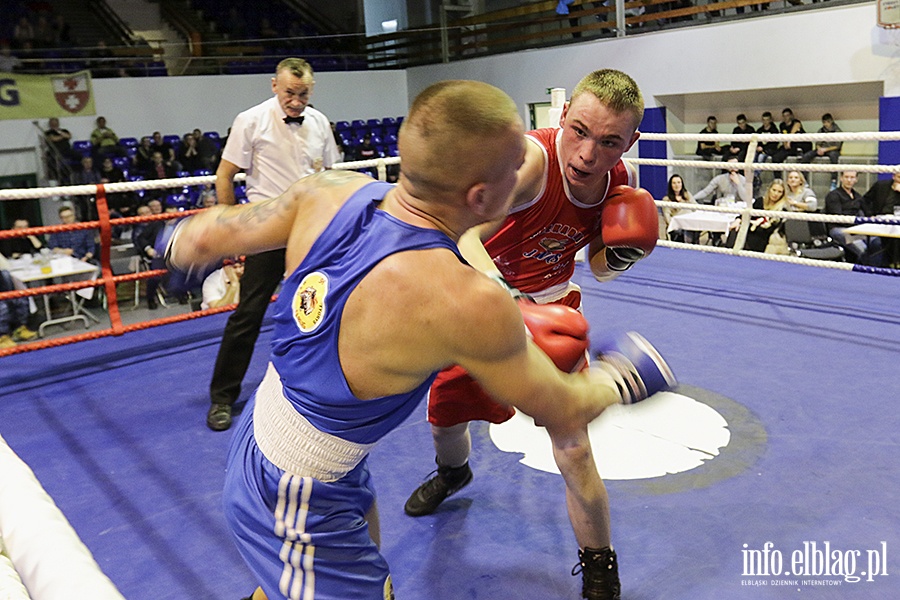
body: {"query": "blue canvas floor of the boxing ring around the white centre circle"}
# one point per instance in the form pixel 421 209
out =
pixel 798 361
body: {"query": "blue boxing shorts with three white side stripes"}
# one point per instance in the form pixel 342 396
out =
pixel 303 538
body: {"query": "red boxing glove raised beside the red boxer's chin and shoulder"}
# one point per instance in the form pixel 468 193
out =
pixel 629 226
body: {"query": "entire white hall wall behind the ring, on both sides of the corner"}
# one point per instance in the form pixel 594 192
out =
pixel 840 45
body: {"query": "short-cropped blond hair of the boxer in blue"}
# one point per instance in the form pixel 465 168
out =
pixel 451 133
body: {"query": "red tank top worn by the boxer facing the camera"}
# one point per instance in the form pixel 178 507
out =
pixel 536 245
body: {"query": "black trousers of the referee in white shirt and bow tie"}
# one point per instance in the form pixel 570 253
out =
pixel 262 274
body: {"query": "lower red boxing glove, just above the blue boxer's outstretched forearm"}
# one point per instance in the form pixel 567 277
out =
pixel 560 331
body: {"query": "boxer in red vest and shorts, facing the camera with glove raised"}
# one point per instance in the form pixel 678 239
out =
pixel 573 191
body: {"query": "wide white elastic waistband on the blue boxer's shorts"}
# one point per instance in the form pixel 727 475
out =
pixel 292 443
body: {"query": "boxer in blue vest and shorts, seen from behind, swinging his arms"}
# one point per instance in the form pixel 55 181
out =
pixel 376 301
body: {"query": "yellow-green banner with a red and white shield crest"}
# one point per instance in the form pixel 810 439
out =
pixel 44 96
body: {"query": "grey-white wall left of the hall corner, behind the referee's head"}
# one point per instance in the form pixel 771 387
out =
pixel 140 106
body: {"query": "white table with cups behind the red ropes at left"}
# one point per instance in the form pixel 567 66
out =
pixel 66 269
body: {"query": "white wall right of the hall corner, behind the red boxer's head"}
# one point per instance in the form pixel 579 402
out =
pixel 830 46
